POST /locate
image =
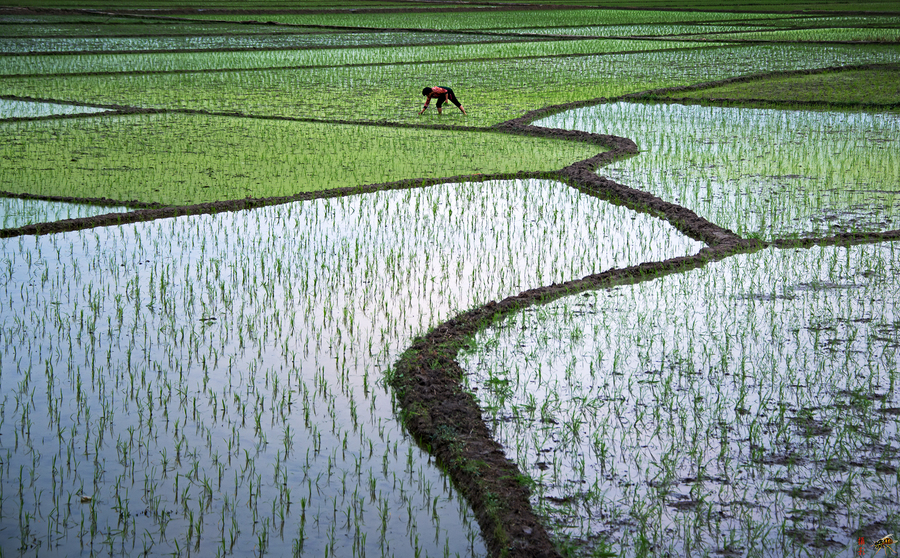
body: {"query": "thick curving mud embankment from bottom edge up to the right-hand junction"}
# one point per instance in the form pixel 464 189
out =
pixel 446 420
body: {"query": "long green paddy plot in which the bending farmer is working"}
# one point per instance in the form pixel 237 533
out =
pixel 392 92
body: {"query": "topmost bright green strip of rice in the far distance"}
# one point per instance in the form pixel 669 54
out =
pixel 501 19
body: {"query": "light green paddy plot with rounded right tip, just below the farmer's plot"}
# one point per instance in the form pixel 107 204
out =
pixel 184 159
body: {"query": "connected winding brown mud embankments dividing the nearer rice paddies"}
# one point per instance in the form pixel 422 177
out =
pixel 427 380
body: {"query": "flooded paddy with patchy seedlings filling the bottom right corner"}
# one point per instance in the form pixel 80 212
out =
pixel 743 408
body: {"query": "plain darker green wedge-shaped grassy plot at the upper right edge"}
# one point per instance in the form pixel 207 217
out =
pixel 864 86
